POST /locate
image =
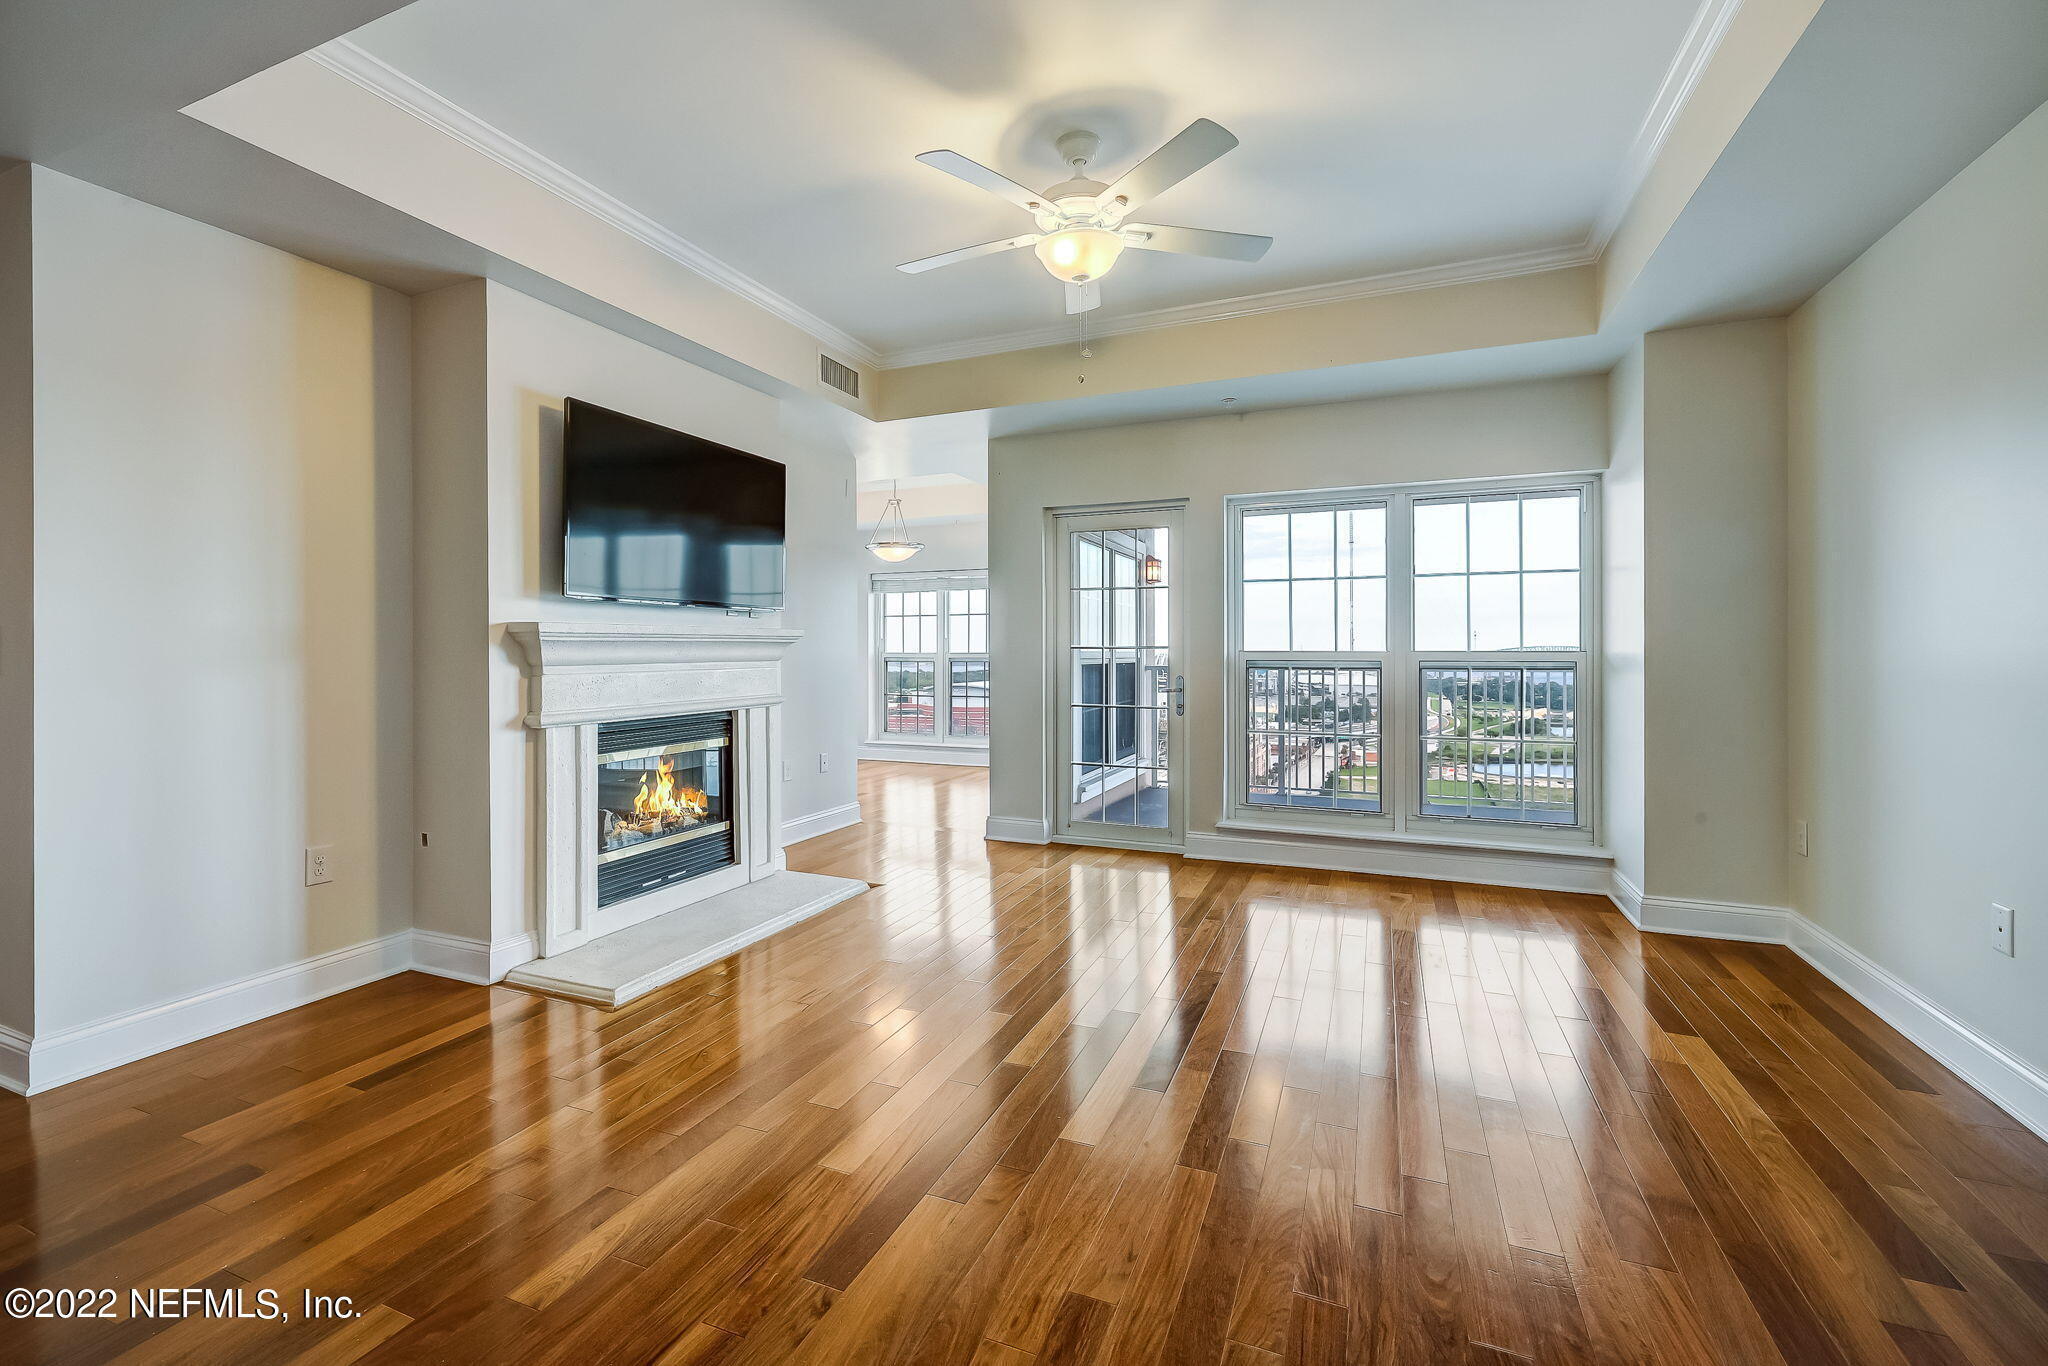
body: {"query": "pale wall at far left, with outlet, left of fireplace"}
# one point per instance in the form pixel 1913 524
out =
pixel 222 656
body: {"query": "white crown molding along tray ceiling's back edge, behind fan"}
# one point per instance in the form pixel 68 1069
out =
pixel 1246 306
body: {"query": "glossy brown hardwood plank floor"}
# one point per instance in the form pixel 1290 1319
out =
pixel 1050 1107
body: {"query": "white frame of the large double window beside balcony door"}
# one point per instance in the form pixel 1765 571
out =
pixel 1402 753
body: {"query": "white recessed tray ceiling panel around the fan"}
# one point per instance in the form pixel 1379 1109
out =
pixel 779 136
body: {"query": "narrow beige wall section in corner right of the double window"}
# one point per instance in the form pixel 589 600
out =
pixel 1713 613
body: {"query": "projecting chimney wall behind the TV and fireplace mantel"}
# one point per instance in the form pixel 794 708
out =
pixel 495 368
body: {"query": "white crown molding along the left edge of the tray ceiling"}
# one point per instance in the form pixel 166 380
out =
pixel 404 93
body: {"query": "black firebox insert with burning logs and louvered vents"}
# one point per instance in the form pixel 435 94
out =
pixel 665 804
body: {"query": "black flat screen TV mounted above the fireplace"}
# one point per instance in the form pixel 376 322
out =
pixel 654 515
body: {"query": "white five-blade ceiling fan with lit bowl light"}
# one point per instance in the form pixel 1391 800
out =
pixel 1082 224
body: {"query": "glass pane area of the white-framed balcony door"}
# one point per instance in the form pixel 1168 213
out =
pixel 1119 681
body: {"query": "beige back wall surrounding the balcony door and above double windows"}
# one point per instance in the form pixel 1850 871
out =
pixel 1547 427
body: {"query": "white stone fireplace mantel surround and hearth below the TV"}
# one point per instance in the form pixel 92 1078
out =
pixel 583 675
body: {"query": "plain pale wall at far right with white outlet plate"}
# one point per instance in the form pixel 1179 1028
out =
pixel 1920 597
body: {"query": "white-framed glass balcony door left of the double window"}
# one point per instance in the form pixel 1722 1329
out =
pixel 1121 693
